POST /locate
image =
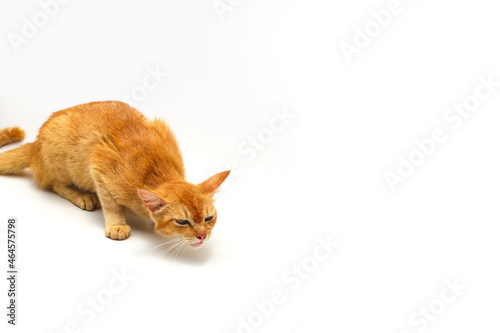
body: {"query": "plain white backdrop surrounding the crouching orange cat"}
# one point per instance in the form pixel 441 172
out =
pixel 321 176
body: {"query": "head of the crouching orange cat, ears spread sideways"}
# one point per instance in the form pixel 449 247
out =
pixel 184 210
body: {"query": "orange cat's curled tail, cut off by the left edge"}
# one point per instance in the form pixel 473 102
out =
pixel 15 160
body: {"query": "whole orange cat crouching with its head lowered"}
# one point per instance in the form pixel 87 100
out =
pixel 108 154
